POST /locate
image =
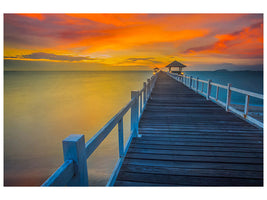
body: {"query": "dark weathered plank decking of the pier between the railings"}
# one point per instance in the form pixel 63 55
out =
pixel 190 141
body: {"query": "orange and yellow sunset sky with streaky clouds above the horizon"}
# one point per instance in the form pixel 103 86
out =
pixel 132 41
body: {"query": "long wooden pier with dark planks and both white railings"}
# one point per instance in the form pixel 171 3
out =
pixel 180 136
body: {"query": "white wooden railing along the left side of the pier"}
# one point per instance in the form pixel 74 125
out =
pixel 73 172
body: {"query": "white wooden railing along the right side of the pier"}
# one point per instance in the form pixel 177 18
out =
pixel 198 85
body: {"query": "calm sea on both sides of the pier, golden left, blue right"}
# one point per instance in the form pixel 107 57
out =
pixel 43 108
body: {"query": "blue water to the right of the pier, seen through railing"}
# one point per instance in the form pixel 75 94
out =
pixel 246 80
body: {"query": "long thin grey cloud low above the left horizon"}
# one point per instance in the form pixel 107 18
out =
pixel 51 56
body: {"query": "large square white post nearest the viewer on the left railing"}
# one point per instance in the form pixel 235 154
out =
pixel 74 149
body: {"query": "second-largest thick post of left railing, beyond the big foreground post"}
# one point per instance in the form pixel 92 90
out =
pixel 134 113
